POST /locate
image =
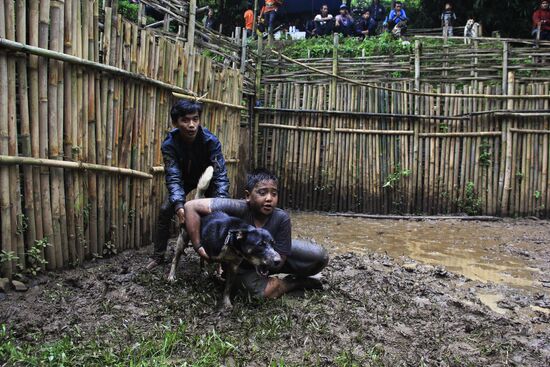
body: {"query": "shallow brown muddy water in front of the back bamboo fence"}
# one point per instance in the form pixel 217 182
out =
pixel 512 253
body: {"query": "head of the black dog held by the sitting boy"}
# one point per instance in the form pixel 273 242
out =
pixel 255 245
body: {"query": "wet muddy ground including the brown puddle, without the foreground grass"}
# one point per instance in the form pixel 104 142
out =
pixel 393 309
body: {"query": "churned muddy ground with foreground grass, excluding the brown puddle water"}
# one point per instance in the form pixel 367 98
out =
pixel 374 310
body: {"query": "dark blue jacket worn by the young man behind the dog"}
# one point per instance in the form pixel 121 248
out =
pixel 184 165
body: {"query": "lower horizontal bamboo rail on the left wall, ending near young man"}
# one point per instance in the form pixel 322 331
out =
pixel 81 166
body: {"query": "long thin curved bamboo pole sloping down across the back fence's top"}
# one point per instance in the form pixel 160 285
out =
pixel 420 94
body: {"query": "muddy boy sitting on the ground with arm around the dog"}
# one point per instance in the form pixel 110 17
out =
pixel 301 259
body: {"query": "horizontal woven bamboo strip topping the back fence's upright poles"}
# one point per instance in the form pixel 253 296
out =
pixel 487 60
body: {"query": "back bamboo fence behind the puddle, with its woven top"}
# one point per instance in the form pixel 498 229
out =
pixel 447 129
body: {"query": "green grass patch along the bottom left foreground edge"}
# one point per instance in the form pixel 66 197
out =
pixel 157 349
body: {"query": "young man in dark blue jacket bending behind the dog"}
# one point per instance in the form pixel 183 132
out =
pixel 187 151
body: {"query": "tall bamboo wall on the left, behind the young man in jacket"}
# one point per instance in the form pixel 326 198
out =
pixel 84 107
